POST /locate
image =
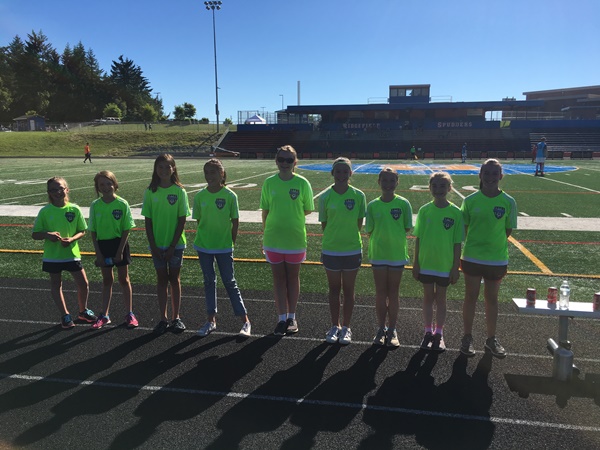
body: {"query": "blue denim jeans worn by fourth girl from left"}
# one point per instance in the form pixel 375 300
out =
pixel 225 263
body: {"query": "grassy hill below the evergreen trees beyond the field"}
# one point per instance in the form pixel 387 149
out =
pixel 110 140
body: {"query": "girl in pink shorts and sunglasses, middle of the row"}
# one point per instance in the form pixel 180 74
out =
pixel 286 198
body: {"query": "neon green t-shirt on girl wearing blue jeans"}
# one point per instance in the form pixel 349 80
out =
pixel 214 213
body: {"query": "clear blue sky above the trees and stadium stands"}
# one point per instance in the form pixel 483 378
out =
pixel 341 51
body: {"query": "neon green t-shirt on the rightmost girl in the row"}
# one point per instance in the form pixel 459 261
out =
pixel 487 219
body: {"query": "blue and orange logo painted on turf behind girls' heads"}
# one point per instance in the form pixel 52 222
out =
pixel 452 169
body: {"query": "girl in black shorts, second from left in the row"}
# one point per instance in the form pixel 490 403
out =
pixel 110 223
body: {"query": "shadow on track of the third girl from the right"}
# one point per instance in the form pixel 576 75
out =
pixel 333 405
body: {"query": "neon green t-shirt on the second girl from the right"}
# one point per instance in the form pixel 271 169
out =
pixel 438 230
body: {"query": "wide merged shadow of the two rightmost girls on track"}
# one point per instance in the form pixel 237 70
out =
pixel 439 417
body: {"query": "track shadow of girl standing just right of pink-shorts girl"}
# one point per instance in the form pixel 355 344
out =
pixel 271 404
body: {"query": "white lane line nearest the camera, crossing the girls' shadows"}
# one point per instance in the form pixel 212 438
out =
pixel 298 401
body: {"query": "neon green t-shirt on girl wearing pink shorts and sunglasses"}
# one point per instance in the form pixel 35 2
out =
pixel 286 201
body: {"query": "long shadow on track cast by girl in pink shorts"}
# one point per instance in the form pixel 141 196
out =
pixel 195 391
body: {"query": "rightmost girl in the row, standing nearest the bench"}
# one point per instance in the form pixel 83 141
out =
pixel 490 215
